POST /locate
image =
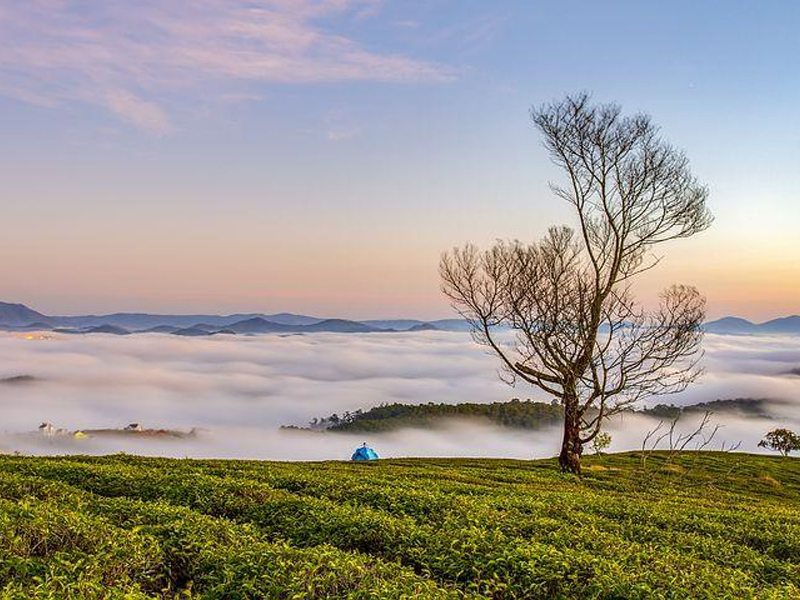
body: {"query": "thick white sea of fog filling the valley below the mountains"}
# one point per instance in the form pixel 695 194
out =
pixel 241 389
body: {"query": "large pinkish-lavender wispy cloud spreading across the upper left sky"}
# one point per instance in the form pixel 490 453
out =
pixel 130 57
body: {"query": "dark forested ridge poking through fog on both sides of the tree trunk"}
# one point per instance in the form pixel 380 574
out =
pixel 514 413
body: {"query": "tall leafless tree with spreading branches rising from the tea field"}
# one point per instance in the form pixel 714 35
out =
pixel 580 334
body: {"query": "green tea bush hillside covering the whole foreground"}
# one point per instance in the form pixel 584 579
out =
pixel 705 526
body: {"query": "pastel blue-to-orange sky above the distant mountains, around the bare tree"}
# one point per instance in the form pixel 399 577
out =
pixel 318 156
